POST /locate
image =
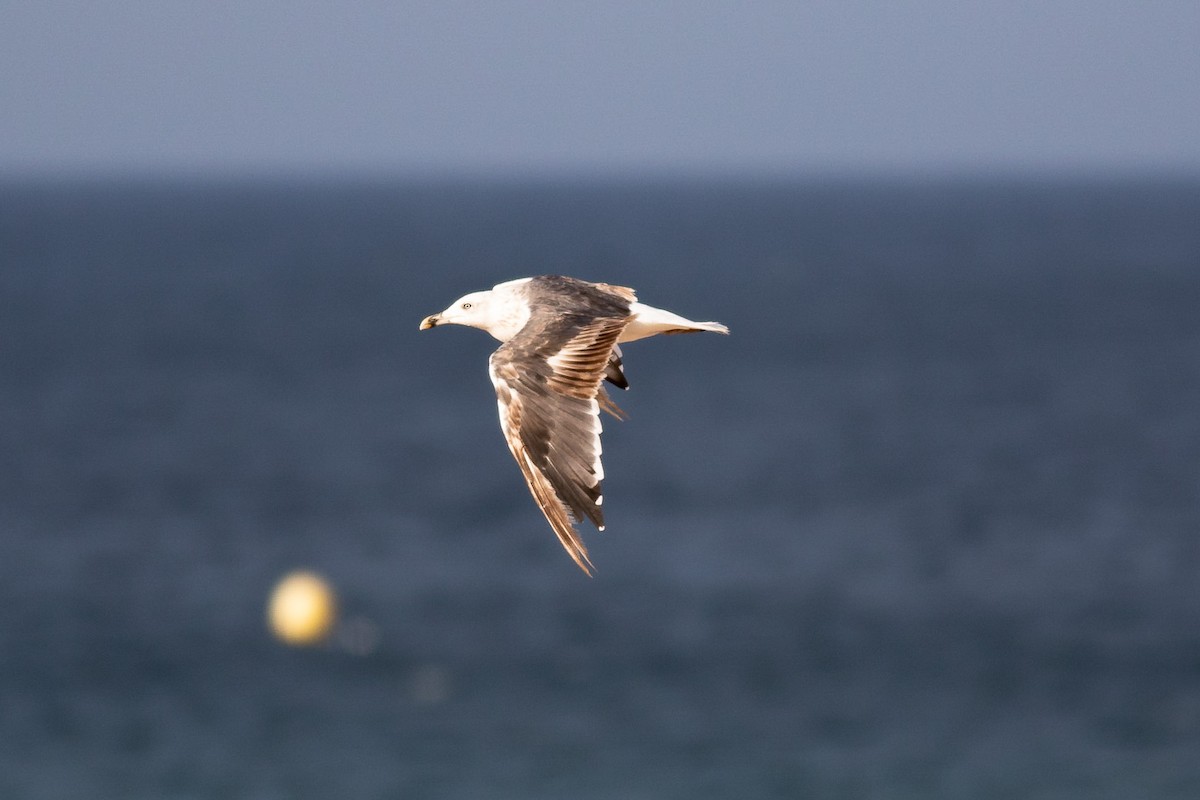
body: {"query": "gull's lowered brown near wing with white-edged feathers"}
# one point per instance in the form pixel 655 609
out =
pixel 548 387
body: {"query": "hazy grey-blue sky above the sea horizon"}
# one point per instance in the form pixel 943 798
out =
pixel 676 86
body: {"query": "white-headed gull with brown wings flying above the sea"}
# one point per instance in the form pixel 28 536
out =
pixel 561 342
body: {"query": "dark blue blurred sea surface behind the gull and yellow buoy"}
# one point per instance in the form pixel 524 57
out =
pixel 926 526
